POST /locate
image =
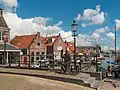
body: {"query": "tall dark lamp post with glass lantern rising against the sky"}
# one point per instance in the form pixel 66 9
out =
pixel 74 28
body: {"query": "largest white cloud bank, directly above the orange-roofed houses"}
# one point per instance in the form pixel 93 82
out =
pixel 21 26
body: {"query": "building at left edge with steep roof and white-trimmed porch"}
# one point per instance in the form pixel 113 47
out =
pixel 8 52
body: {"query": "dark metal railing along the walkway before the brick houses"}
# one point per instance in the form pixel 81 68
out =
pixel 44 61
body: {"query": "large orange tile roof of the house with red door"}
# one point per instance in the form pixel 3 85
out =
pixel 23 41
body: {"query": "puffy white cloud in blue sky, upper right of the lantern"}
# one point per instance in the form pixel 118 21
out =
pixel 92 16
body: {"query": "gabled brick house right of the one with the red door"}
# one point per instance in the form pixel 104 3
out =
pixel 54 45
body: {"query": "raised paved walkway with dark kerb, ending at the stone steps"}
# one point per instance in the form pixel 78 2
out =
pixel 79 79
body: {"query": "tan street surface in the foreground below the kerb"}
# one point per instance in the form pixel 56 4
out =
pixel 17 82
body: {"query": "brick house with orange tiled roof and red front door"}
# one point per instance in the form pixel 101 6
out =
pixel 32 47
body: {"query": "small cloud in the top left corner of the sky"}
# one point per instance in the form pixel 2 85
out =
pixel 9 5
